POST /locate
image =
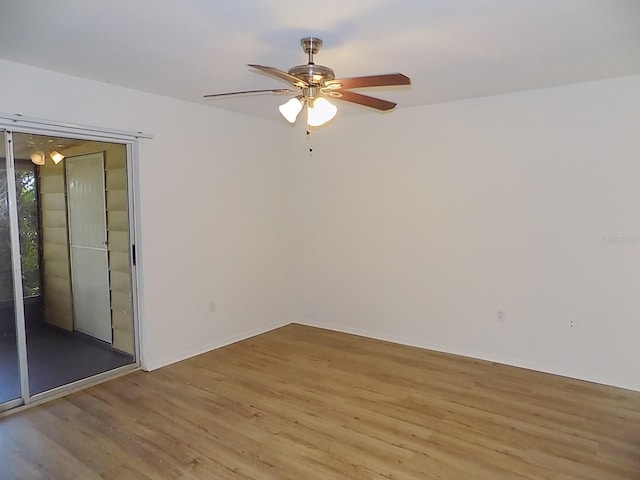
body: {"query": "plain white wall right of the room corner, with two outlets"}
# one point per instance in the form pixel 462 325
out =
pixel 419 225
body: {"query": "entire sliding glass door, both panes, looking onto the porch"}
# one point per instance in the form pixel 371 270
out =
pixel 66 236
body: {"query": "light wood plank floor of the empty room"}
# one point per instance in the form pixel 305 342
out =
pixel 301 403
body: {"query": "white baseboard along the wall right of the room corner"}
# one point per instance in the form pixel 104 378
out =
pixel 539 367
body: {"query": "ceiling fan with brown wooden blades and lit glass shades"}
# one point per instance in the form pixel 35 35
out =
pixel 315 83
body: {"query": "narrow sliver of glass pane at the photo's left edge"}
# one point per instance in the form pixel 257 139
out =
pixel 9 365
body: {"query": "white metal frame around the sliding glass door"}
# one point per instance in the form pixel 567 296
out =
pixel 10 124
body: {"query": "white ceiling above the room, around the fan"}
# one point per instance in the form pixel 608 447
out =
pixel 451 49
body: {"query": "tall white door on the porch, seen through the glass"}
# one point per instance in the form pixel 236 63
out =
pixel 88 245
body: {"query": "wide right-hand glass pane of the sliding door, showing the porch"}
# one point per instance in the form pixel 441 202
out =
pixel 75 206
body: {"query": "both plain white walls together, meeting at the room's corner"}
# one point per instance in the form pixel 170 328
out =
pixel 414 226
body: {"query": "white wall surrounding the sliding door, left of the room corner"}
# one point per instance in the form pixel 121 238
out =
pixel 213 197
